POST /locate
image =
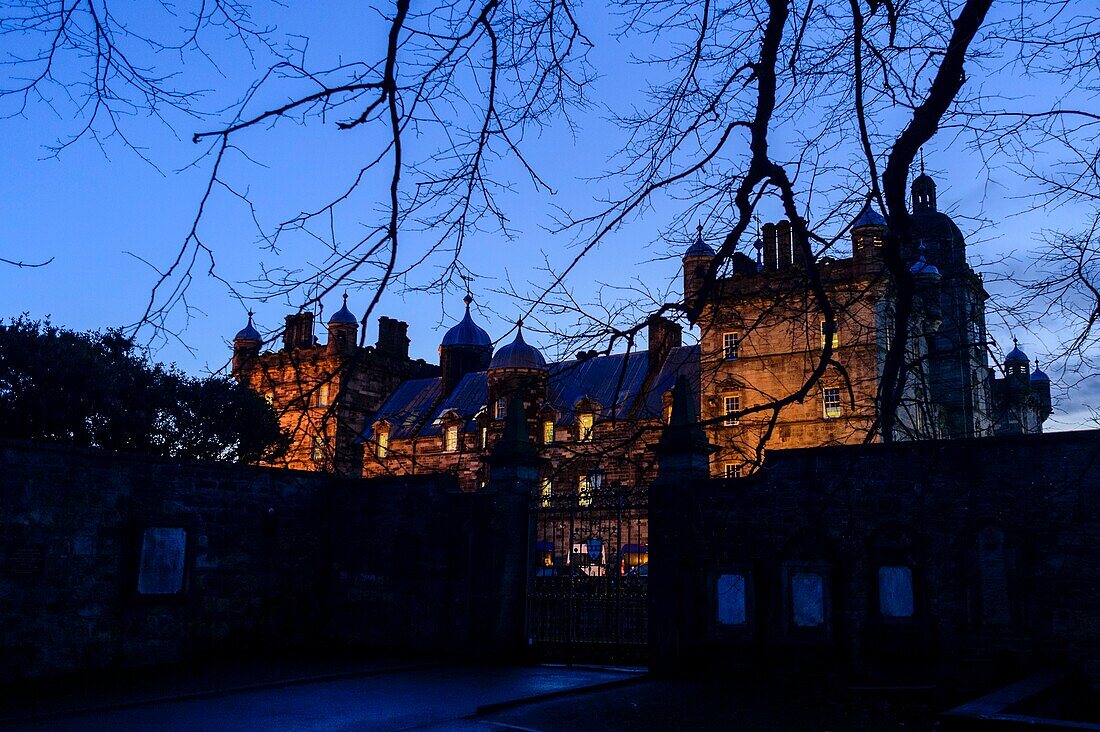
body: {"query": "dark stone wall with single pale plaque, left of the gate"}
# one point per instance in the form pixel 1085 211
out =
pixel 273 559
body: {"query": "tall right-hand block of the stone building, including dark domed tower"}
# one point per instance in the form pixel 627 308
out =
pixel 764 332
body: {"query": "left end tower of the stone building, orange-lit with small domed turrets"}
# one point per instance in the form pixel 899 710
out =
pixel 324 392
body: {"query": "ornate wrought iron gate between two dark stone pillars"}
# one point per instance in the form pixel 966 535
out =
pixel 588 597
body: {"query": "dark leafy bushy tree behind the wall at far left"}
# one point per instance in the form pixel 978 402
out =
pixel 98 390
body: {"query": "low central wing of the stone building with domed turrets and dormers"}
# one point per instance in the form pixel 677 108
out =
pixel 592 419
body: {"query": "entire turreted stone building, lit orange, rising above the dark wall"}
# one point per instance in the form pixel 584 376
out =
pixel 762 333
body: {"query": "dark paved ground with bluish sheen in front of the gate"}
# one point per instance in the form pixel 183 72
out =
pixel 388 695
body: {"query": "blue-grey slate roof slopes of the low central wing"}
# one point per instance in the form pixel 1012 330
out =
pixel 615 383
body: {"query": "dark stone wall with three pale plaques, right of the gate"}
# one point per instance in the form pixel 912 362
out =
pixel 937 561
